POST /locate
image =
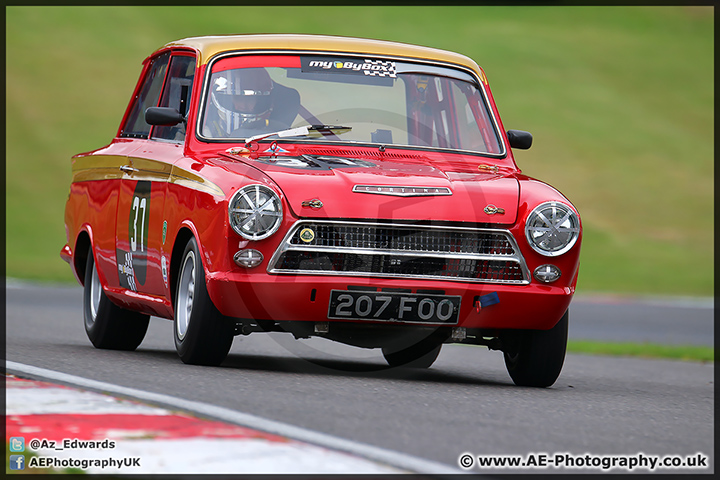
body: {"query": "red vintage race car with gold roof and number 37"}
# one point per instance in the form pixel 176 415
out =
pixel 357 190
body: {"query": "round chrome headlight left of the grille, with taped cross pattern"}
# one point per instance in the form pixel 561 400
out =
pixel 255 212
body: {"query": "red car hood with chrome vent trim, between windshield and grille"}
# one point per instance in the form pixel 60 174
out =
pixel 415 189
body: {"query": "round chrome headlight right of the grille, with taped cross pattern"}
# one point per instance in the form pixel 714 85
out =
pixel 552 228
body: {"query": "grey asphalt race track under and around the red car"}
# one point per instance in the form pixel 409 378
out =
pixel 466 403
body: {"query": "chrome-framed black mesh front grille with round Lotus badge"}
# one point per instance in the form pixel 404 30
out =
pixel 407 251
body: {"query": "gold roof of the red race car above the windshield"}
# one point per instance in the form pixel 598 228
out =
pixel 209 46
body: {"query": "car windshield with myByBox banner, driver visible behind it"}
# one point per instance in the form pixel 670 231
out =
pixel 383 102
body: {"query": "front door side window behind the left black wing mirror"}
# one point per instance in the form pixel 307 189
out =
pixel 176 94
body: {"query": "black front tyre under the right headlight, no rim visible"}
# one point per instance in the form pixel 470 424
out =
pixel 535 358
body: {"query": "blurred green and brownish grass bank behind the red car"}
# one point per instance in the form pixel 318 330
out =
pixel 619 100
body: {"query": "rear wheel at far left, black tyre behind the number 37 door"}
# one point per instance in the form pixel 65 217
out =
pixel 107 325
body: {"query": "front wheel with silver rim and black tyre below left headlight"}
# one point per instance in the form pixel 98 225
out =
pixel 203 336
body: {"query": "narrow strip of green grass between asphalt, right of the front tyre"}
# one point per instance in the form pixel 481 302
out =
pixel 644 350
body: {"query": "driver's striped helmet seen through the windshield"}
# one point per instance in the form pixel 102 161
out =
pixel 242 96
